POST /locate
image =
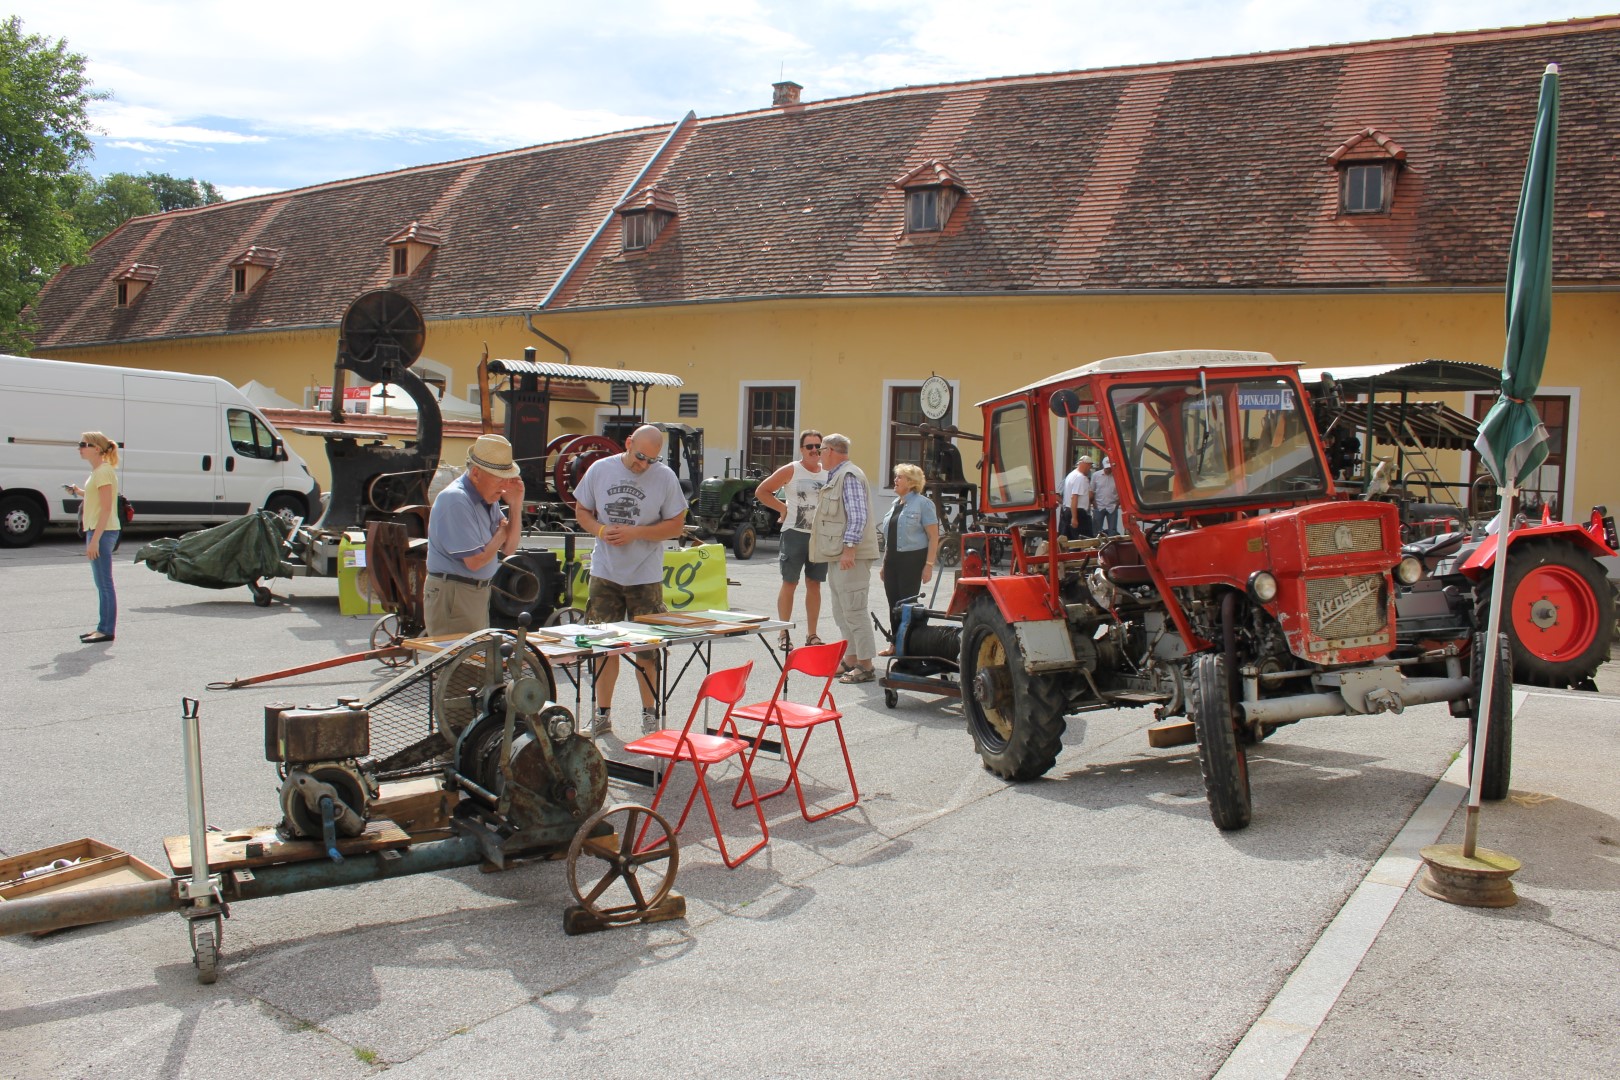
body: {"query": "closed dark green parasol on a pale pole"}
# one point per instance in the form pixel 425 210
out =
pixel 1512 440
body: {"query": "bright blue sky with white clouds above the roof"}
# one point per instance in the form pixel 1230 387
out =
pixel 270 96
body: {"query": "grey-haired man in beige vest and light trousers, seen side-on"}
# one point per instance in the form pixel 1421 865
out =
pixel 846 540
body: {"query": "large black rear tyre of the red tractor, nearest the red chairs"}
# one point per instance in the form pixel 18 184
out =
pixel 1015 718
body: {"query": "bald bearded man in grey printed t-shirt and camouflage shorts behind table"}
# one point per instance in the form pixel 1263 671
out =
pixel 631 504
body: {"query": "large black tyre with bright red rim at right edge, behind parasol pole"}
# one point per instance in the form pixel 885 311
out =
pixel 1559 613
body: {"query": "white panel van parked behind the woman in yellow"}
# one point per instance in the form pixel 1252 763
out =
pixel 192 449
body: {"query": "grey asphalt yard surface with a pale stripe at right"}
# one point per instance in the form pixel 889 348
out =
pixel 952 925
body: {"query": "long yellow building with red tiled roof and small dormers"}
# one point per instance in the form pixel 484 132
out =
pixel 812 263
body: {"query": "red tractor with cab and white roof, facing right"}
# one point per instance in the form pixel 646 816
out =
pixel 1245 592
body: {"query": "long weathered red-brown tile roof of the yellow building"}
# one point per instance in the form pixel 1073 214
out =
pixel 1192 176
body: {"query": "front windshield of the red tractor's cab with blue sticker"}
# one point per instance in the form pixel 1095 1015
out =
pixel 1226 441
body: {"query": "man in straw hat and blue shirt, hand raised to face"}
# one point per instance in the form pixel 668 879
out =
pixel 477 521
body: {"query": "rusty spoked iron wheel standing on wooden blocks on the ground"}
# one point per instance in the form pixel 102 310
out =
pixel 637 857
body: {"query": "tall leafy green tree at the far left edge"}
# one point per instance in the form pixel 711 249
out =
pixel 45 134
